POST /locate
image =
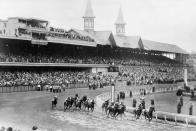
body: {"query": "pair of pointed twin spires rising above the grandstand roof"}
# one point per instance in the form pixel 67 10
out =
pixel 89 20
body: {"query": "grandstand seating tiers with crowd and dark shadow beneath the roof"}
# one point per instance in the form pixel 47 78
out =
pixel 135 67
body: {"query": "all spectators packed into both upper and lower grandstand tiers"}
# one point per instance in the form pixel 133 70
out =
pixel 137 69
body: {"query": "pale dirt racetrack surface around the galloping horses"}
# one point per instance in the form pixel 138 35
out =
pixel 26 109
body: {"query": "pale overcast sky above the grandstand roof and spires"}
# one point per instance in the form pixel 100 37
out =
pixel 168 21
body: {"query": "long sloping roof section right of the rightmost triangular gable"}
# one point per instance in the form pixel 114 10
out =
pixel 164 47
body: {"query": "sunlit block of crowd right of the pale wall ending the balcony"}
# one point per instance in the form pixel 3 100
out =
pixel 143 75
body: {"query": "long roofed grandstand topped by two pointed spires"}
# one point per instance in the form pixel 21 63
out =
pixel 32 45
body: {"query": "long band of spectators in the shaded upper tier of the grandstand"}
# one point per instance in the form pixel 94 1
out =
pixel 134 60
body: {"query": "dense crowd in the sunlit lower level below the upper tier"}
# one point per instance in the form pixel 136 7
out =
pixel 133 75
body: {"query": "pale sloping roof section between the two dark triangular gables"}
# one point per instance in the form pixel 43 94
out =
pixel 128 41
